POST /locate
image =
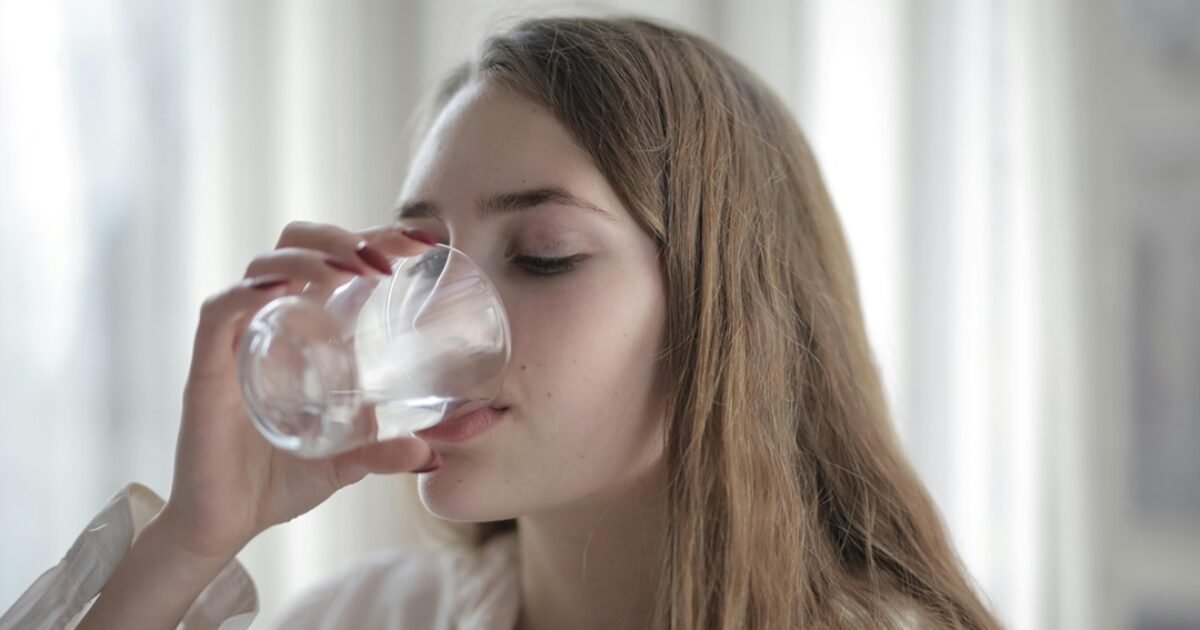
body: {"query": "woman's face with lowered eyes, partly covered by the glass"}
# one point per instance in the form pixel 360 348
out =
pixel 585 410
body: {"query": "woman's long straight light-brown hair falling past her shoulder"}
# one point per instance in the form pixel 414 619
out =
pixel 790 503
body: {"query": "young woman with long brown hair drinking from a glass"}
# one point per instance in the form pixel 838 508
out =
pixel 693 435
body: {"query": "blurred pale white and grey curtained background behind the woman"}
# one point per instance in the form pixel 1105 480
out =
pixel 1019 182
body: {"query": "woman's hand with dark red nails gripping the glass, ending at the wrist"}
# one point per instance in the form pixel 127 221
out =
pixel 230 483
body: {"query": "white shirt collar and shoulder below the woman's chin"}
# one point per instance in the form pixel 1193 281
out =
pixel 417 587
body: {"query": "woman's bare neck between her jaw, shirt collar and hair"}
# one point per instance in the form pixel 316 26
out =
pixel 597 566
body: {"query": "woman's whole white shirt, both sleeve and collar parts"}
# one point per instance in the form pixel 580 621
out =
pixel 397 590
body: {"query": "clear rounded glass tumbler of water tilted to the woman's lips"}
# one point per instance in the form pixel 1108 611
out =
pixel 376 358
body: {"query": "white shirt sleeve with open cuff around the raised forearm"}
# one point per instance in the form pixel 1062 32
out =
pixel 62 596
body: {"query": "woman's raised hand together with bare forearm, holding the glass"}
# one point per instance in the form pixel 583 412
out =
pixel 230 483
